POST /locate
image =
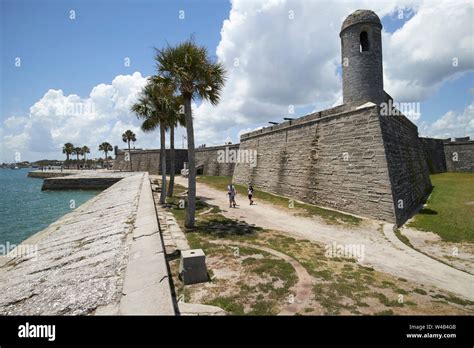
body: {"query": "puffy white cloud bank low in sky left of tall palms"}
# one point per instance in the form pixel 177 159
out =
pixel 57 118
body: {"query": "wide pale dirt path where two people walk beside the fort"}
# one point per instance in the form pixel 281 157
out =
pixel 382 251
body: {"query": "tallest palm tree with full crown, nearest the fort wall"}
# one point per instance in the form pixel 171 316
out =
pixel 196 77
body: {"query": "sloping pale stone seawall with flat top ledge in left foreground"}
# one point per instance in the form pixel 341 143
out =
pixel 102 258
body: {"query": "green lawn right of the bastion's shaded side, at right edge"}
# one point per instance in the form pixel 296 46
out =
pixel 450 209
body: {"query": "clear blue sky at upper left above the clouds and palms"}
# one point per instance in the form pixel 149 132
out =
pixel 74 55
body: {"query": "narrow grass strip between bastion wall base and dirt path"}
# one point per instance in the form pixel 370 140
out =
pixel 330 216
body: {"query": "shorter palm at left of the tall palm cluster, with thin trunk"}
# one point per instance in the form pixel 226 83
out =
pixel 154 107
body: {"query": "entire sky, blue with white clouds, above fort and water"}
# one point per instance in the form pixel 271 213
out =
pixel 70 70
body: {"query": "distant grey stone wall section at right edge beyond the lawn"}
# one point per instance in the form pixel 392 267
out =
pixel 459 155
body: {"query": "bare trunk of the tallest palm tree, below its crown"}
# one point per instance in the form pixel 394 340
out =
pixel 191 208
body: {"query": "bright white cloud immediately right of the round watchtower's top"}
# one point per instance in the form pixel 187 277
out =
pixel 434 46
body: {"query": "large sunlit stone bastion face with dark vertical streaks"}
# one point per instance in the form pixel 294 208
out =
pixel 333 158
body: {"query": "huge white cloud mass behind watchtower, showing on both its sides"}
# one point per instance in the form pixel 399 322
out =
pixel 282 61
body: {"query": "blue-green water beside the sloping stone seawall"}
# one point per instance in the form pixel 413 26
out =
pixel 25 209
